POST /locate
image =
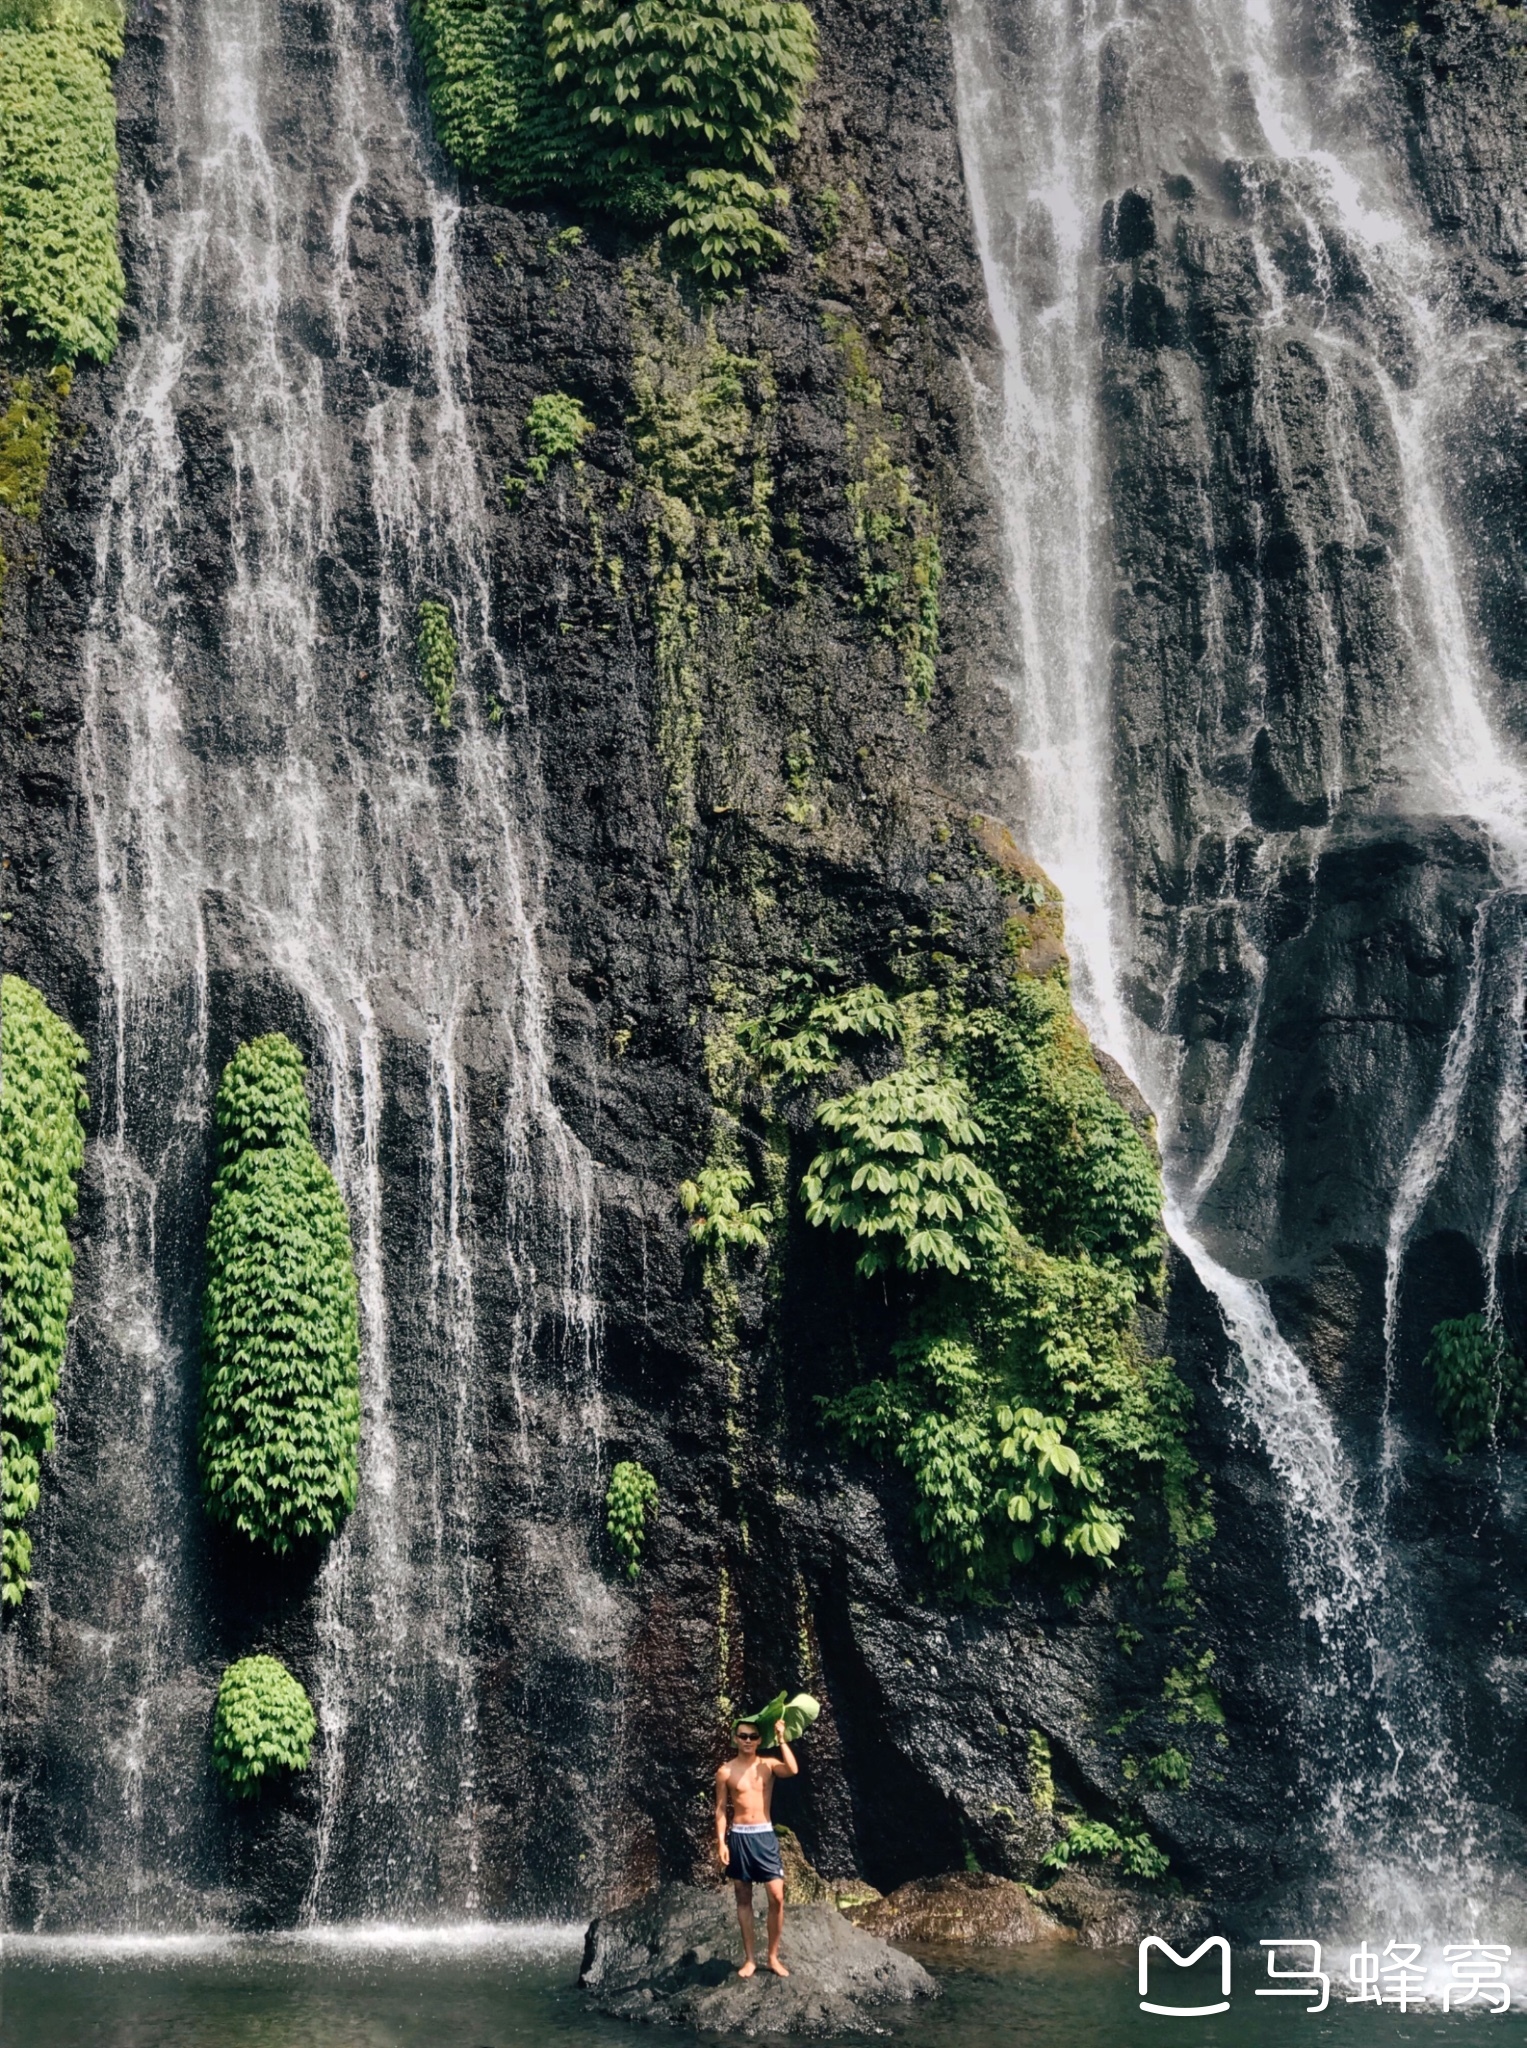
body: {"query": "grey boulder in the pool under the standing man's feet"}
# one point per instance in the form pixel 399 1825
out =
pixel 672 1957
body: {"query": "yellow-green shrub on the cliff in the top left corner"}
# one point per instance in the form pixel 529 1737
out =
pixel 60 275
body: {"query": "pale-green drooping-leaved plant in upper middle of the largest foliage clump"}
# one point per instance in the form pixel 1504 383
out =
pixel 904 1177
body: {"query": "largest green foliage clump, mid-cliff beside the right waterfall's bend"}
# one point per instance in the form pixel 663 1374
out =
pixel 1008 1201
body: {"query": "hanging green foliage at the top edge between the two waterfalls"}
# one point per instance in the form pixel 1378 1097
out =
pixel 662 114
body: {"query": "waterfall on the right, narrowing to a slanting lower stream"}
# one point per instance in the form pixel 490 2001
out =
pixel 1070 112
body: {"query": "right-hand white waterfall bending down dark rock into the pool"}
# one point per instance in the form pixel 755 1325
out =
pixel 1051 132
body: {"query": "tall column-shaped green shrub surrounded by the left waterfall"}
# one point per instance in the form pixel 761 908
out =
pixel 281 1394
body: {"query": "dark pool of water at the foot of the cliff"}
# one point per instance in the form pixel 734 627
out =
pixel 511 1992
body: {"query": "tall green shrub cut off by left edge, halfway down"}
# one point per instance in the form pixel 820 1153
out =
pixel 42 1150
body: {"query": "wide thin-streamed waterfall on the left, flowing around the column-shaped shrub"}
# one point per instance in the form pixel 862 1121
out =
pixel 286 839
